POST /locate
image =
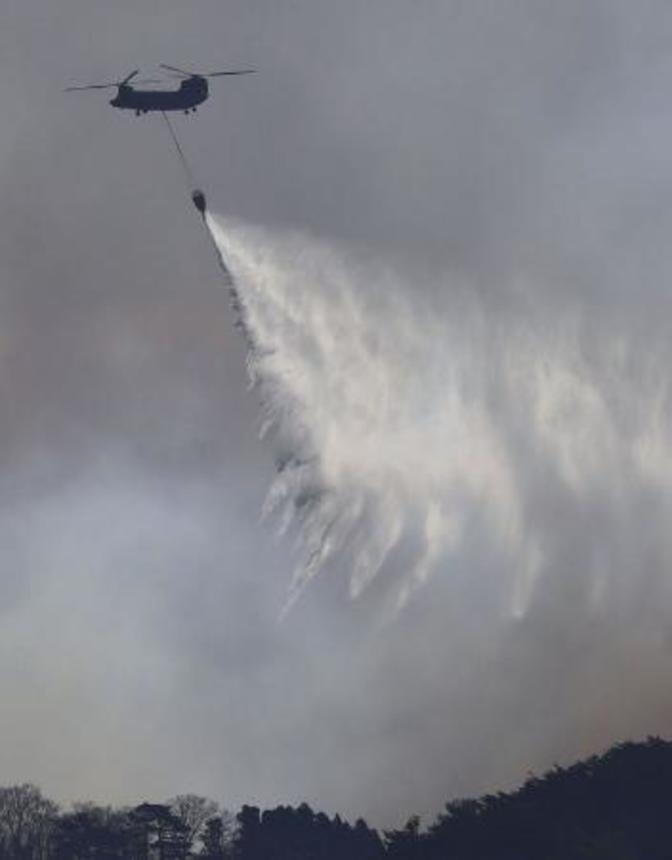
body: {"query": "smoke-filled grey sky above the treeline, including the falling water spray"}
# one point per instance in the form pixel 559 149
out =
pixel 450 225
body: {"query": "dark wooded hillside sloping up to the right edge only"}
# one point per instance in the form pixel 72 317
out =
pixel 617 806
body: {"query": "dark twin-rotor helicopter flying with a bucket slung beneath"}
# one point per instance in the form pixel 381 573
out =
pixel 193 91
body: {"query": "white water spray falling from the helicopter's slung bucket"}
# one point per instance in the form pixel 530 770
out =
pixel 415 423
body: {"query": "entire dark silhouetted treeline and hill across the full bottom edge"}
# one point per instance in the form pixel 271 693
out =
pixel 617 806
